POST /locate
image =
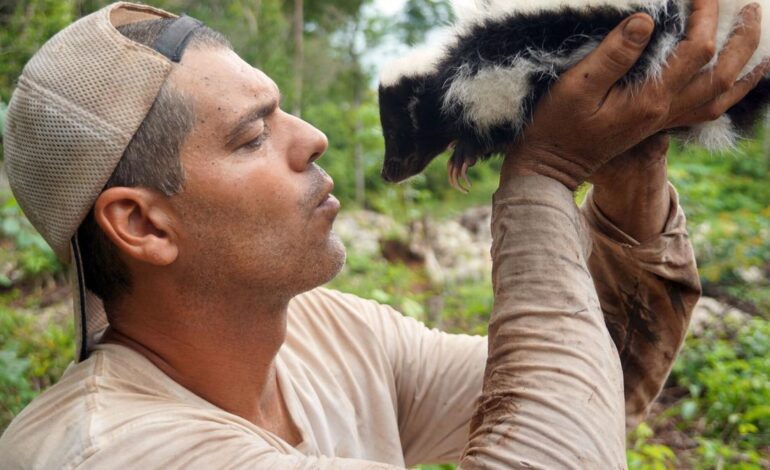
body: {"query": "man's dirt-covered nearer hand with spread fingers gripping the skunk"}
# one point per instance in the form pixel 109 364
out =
pixel 587 118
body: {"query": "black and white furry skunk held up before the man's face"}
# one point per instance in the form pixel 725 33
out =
pixel 478 89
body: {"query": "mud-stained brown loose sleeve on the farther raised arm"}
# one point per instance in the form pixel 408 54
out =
pixel 647 292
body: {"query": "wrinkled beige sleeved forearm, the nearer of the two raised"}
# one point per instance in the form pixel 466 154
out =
pixel 553 391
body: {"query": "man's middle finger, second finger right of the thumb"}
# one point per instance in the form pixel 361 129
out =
pixel 717 81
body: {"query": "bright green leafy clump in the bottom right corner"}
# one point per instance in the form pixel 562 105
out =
pixel 729 392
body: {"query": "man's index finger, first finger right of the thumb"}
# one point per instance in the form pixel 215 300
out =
pixel 698 47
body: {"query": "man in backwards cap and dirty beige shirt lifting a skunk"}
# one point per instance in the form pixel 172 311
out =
pixel 206 228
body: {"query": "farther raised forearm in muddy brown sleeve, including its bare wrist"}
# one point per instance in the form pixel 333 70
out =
pixel 643 267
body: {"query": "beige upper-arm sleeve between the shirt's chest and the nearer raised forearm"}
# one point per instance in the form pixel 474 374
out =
pixel 438 380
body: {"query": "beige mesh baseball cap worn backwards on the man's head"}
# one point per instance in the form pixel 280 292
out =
pixel 78 103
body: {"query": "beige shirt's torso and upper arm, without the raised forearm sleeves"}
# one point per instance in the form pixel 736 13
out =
pixel 360 381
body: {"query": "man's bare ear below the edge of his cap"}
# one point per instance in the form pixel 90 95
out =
pixel 138 221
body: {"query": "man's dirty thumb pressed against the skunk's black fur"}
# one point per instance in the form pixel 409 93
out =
pixel 614 57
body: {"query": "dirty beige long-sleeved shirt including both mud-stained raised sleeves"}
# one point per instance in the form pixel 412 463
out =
pixel 369 388
